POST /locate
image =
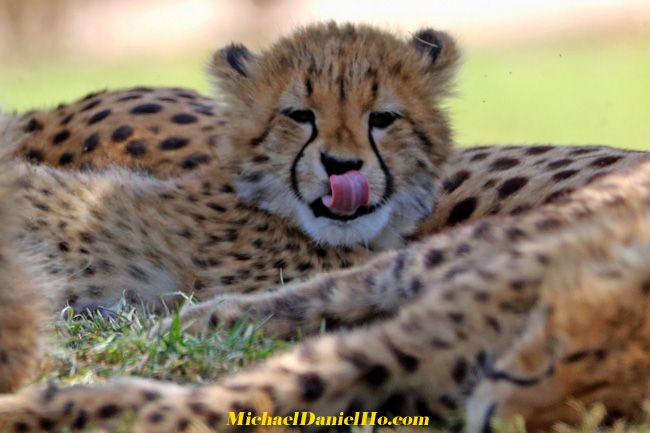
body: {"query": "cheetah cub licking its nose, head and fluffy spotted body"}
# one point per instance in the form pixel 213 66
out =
pixel 336 144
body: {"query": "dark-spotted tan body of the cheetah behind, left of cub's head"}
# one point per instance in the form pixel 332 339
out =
pixel 124 138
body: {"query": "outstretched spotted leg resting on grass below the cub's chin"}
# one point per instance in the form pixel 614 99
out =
pixel 343 298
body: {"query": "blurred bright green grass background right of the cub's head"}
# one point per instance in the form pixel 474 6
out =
pixel 578 92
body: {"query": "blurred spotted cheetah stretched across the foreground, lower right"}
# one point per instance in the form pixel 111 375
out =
pixel 548 307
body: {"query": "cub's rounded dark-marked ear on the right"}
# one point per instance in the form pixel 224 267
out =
pixel 442 52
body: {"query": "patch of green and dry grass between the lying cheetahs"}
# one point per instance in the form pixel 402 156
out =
pixel 95 348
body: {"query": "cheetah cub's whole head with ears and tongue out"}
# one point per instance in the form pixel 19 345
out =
pixel 338 128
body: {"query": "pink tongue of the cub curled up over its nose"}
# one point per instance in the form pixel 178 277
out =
pixel 349 191
